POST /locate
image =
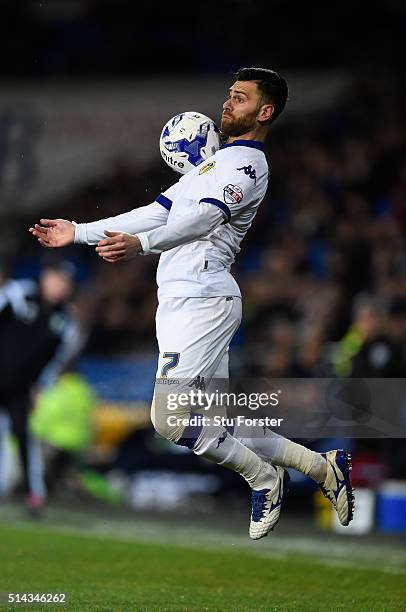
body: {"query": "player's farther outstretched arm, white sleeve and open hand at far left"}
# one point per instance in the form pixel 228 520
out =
pixel 60 232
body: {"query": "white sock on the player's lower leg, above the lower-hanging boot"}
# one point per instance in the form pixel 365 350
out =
pixel 222 448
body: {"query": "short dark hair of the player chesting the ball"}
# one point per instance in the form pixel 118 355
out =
pixel 272 86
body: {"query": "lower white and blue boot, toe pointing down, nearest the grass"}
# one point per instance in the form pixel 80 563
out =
pixel 266 506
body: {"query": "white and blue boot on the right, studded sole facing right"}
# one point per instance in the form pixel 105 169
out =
pixel 337 486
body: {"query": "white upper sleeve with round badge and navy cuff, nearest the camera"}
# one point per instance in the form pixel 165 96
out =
pixel 229 186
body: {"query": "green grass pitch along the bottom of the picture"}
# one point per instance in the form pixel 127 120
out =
pixel 119 574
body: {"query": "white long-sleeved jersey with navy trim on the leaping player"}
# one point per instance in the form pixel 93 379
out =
pixel 211 208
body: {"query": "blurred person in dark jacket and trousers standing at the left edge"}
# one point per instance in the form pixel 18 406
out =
pixel 39 337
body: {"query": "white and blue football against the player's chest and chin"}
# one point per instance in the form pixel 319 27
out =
pixel 187 140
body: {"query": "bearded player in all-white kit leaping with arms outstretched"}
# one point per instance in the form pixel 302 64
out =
pixel 197 226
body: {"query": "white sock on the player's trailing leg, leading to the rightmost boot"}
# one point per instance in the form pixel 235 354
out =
pixel 282 452
